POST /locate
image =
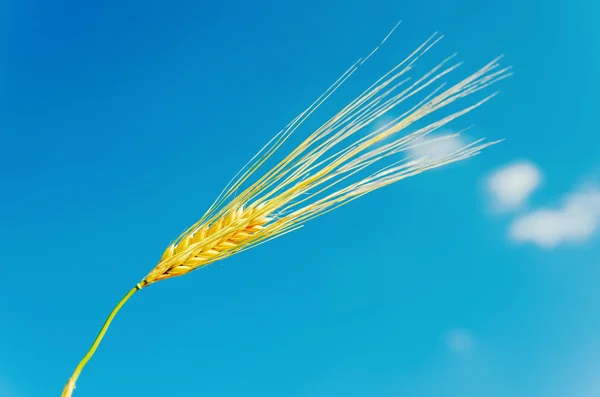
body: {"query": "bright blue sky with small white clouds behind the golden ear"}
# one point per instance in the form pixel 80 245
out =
pixel 121 122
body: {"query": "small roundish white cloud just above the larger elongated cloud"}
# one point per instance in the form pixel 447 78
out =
pixel 511 186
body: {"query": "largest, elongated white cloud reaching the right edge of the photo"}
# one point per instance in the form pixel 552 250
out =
pixel 575 221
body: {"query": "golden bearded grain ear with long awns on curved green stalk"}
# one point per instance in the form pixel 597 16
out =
pixel 330 168
